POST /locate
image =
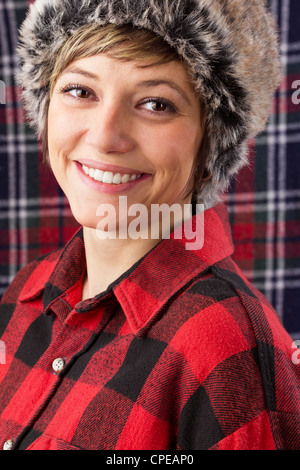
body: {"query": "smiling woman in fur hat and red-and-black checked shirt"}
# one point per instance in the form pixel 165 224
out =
pixel 122 341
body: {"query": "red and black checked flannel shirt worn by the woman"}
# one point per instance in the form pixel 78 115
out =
pixel 180 352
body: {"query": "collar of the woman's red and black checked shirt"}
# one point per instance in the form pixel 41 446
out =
pixel 146 287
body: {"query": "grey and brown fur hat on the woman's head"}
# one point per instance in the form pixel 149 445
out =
pixel 230 47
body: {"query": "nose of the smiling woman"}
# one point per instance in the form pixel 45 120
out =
pixel 109 130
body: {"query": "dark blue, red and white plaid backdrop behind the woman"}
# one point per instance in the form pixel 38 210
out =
pixel 264 201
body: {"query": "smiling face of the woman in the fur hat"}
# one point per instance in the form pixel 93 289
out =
pixel 117 129
